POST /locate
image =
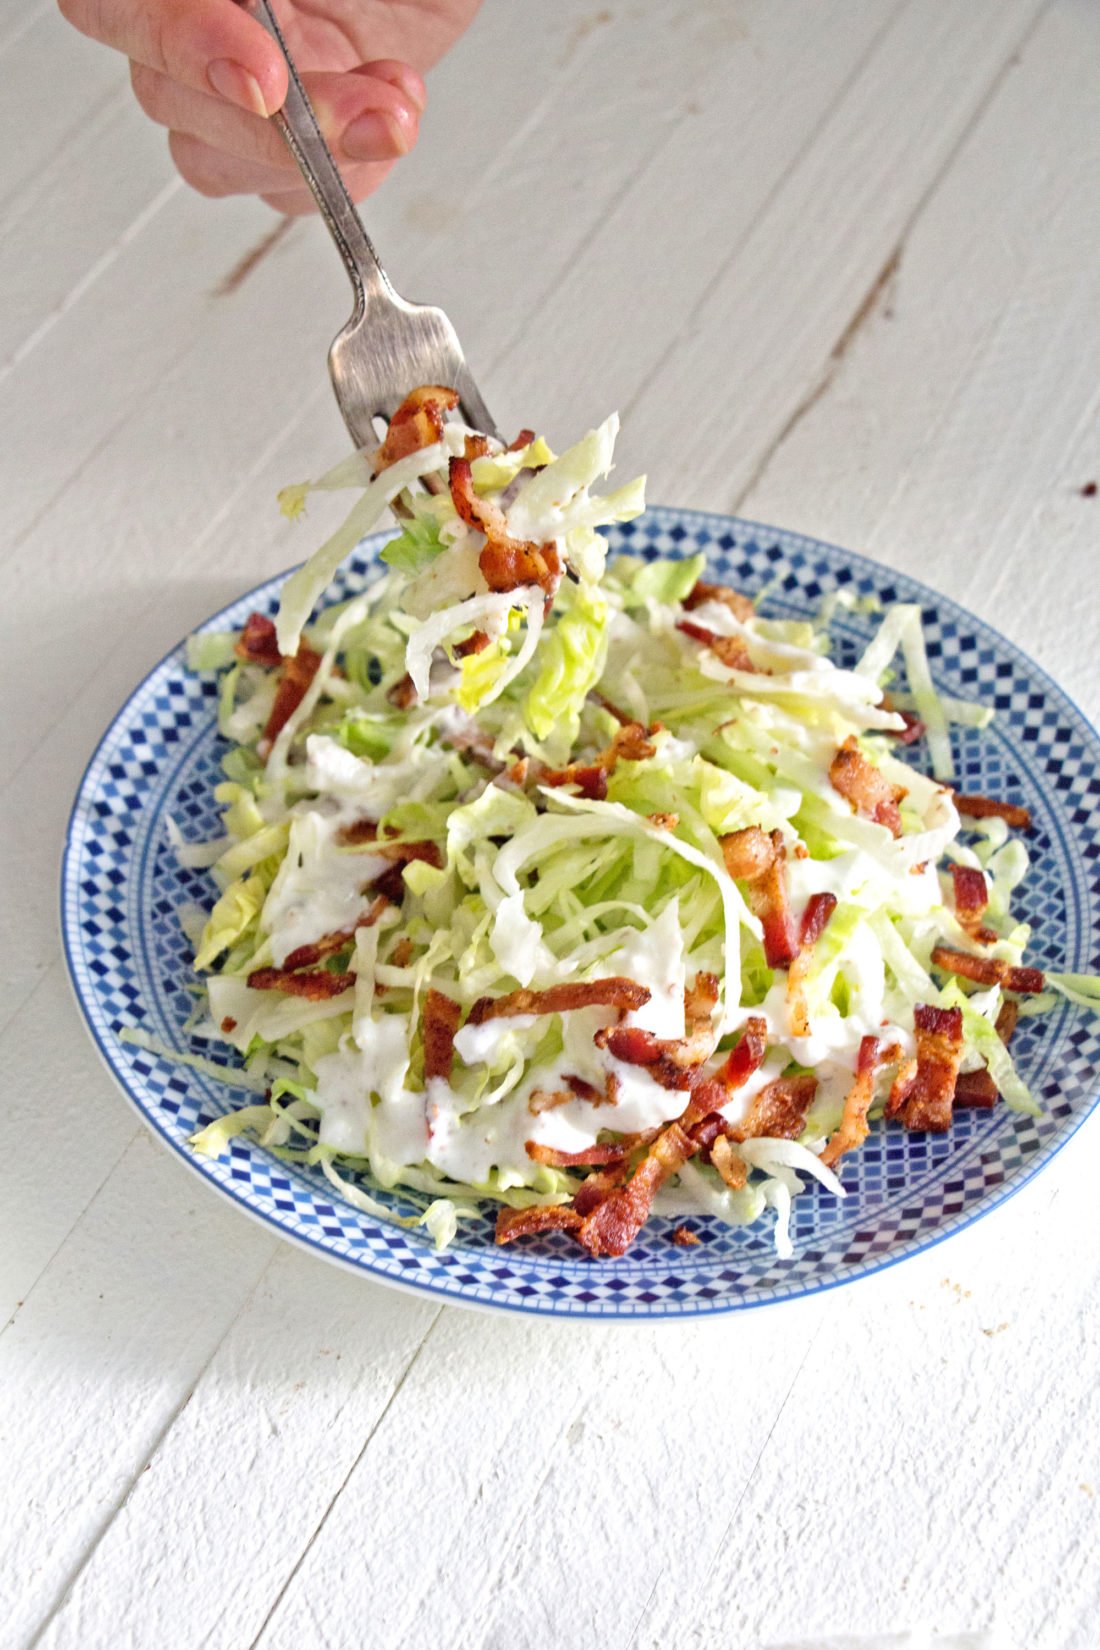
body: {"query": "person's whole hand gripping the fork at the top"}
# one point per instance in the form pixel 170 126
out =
pixel 212 75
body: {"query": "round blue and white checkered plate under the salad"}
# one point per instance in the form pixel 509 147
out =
pixel 129 963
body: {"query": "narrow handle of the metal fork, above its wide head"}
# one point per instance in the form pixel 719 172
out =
pixel 303 134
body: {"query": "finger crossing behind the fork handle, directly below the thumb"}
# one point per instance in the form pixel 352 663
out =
pixel 364 116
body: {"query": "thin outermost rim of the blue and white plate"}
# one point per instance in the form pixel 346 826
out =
pixel 537 1306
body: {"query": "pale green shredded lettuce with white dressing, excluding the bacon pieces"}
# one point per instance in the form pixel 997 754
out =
pixel 522 882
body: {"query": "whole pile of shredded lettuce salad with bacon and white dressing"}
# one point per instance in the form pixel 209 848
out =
pixel 586 890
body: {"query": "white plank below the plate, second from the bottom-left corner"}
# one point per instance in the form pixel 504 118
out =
pixel 250 1464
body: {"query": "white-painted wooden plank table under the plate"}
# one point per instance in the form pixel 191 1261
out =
pixel 839 266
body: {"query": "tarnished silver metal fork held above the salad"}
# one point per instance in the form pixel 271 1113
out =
pixel 390 346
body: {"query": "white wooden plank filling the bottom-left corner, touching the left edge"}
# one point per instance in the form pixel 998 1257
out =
pixel 92 1433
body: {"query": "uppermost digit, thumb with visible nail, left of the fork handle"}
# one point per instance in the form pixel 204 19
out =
pixel 207 45
